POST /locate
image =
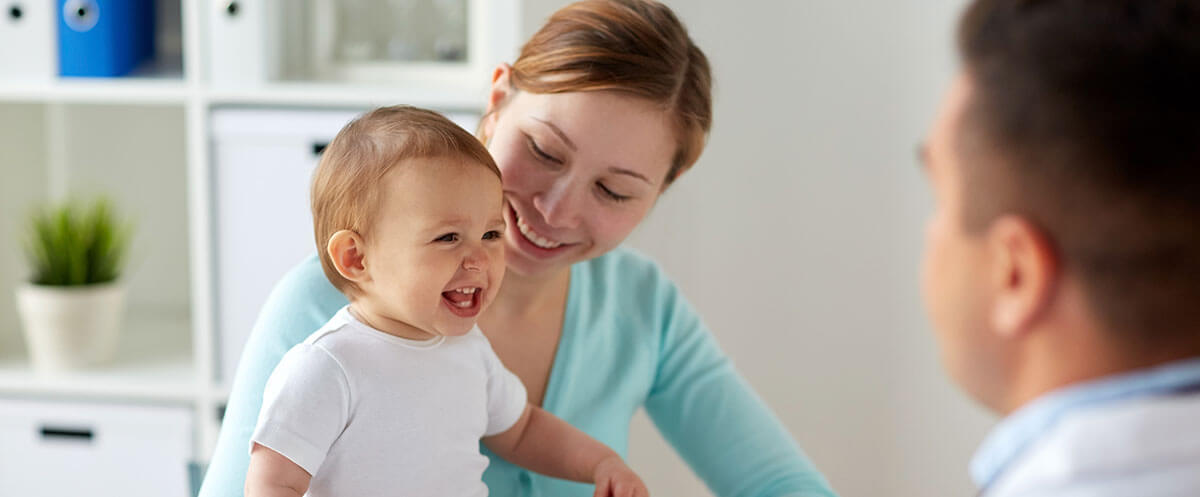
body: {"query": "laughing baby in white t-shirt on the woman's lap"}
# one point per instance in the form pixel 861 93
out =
pixel 394 394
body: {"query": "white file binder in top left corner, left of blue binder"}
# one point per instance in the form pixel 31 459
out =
pixel 28 45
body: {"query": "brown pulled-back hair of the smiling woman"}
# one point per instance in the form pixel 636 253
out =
pixel 638 47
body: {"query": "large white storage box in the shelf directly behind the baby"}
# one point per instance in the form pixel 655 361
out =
pixel 263 164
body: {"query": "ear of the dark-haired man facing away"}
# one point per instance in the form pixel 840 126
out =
pixel 1024 278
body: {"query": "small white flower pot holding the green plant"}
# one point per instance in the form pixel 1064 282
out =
pixel 70 328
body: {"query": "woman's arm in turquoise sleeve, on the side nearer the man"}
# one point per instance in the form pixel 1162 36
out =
pixel 716 421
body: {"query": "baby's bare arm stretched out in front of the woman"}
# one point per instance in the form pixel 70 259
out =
pixel 549 446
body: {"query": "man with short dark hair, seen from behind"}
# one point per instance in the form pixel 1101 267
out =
pixel 1063 265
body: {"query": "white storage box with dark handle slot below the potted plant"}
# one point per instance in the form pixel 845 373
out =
pixel 58 450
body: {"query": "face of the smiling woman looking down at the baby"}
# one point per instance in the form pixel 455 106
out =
pixel 581 170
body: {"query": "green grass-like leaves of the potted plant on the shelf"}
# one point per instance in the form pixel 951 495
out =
pixel 74 244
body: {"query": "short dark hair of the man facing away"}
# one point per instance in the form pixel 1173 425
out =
pixel 1084 118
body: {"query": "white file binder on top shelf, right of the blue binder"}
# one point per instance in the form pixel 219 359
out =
pixel 244 41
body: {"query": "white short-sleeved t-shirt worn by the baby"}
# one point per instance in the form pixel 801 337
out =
pixel 368 414
